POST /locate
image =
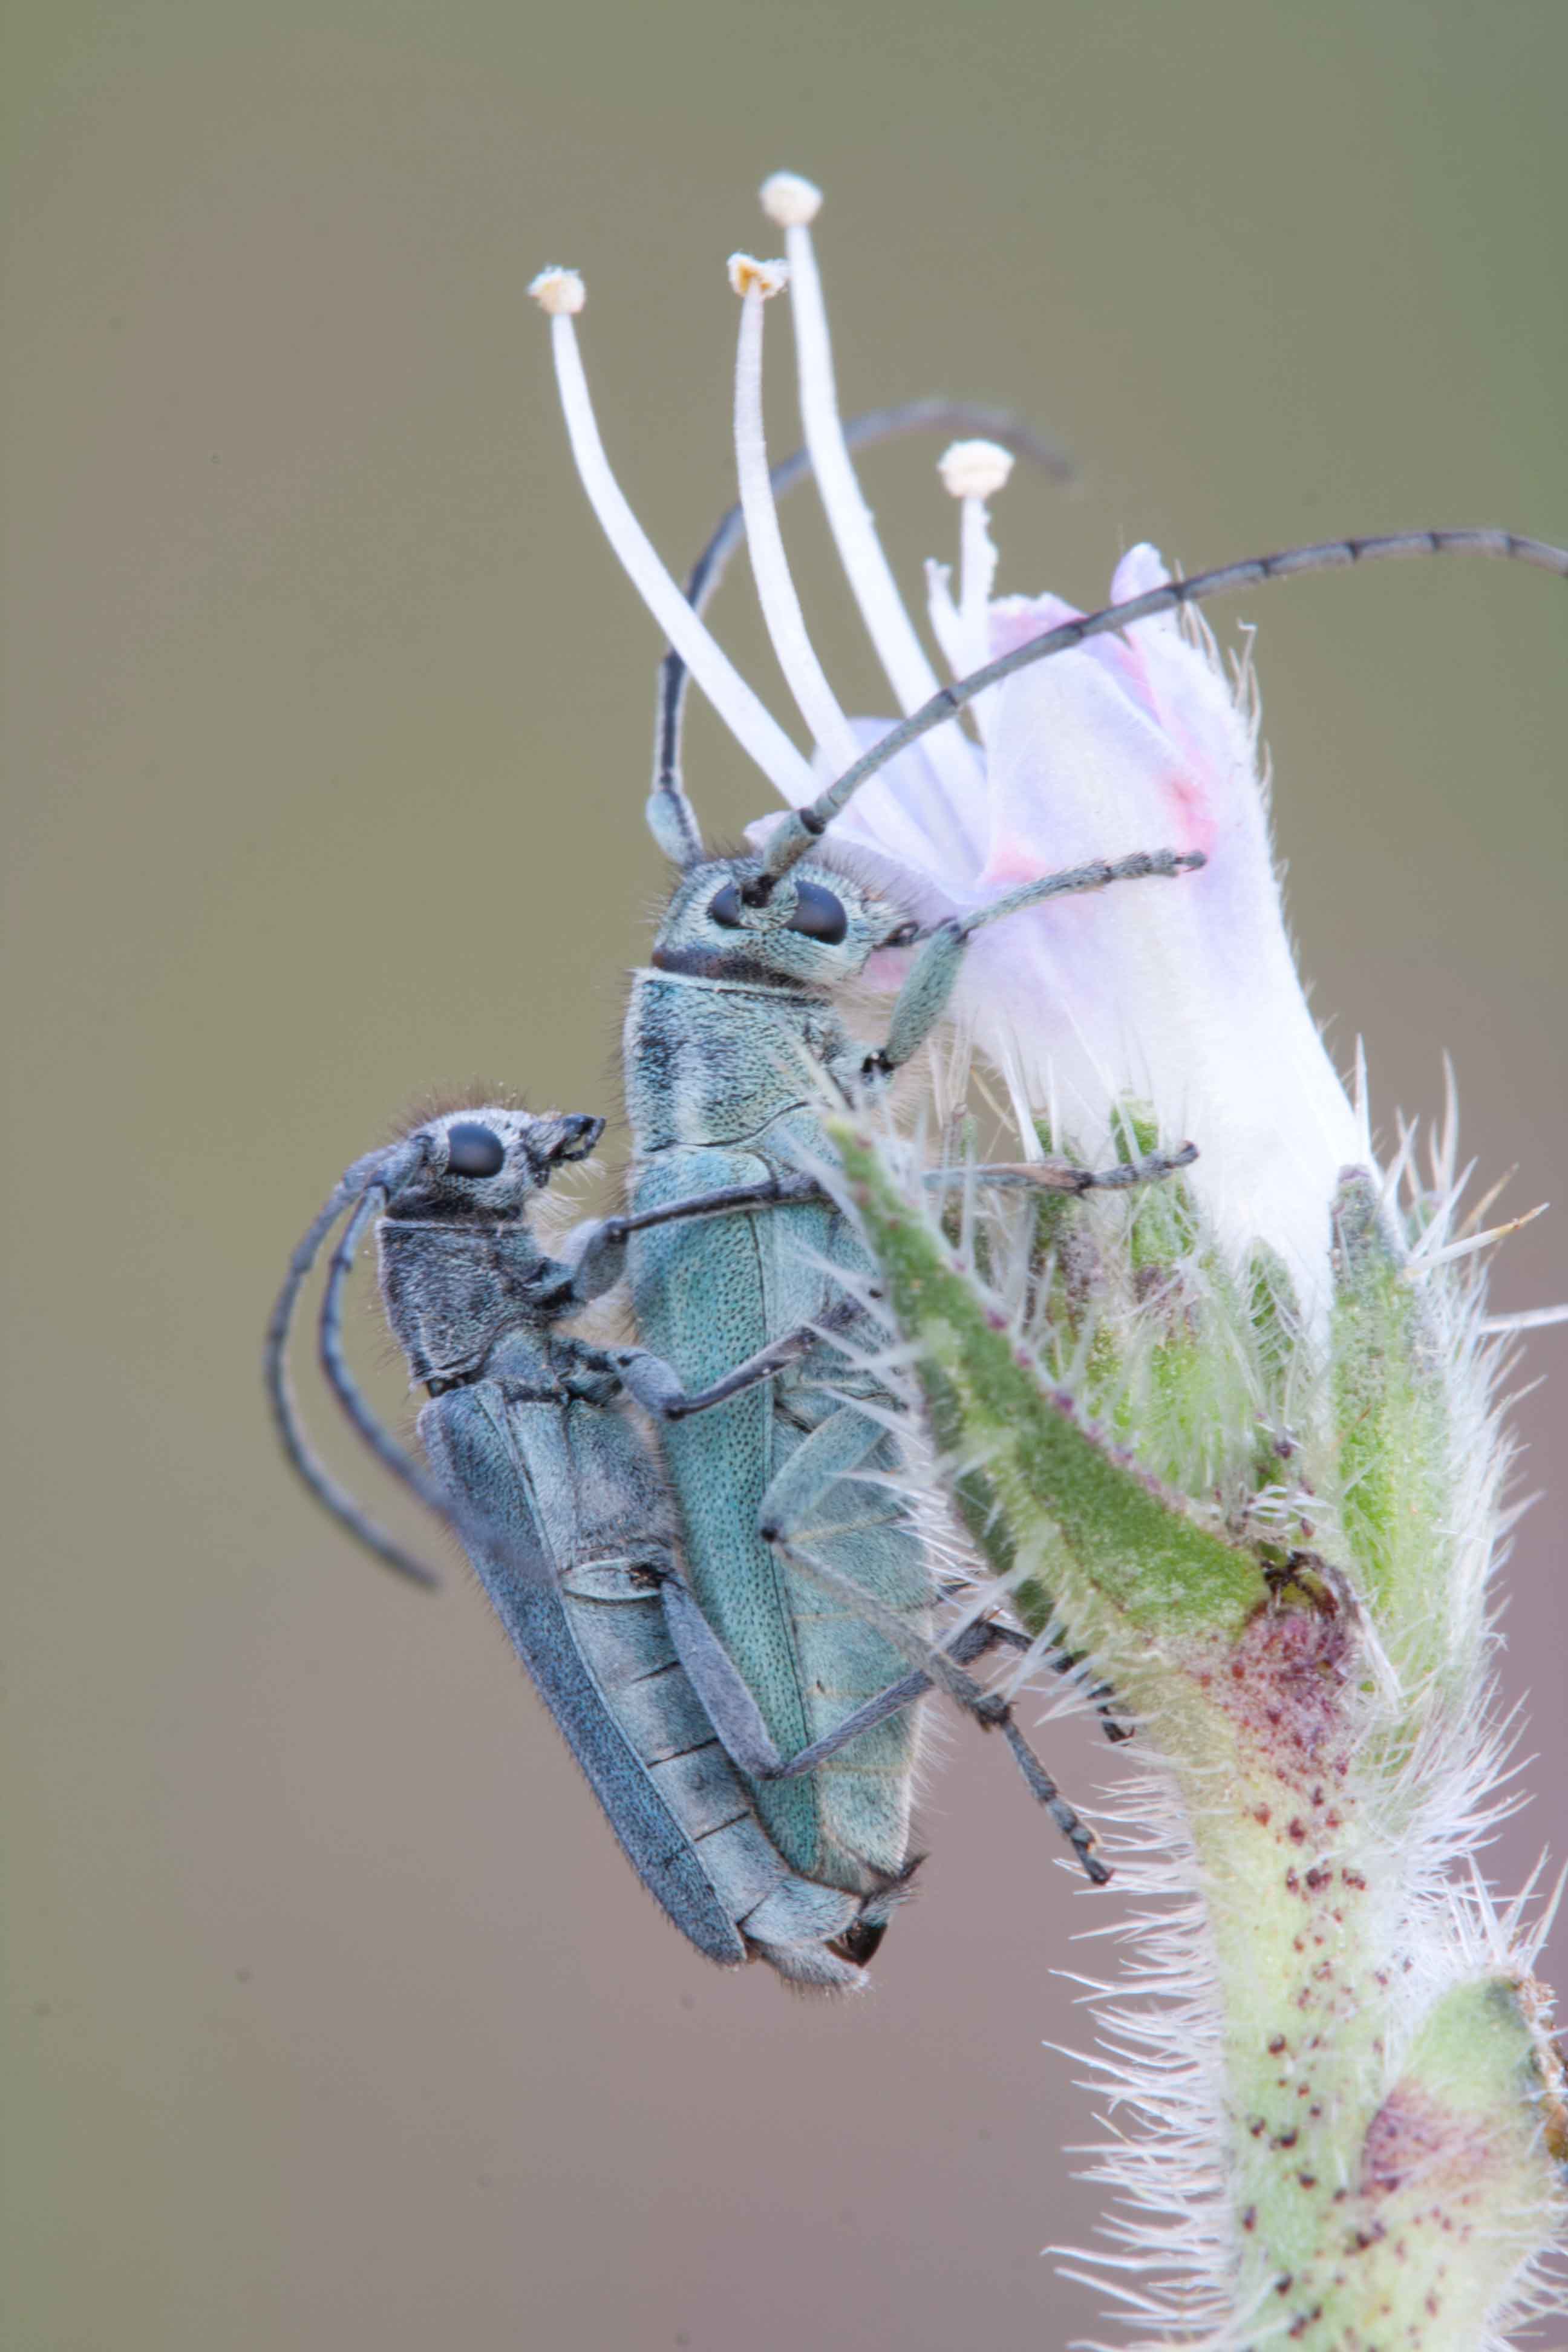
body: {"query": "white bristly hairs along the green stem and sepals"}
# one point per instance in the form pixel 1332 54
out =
pixel 1167 2252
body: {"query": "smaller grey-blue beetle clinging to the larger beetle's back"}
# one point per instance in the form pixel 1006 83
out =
pixel 570 1525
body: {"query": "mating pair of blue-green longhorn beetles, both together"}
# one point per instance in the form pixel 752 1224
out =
pixel 735 1636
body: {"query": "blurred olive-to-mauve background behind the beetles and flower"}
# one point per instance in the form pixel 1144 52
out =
pixel 337 2019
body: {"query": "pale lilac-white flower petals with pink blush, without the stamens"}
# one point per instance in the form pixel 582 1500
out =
pixel 1179 996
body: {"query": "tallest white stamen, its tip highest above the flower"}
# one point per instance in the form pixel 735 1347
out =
pixel 850 521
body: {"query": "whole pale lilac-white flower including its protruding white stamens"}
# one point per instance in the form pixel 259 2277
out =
pixel 1181 996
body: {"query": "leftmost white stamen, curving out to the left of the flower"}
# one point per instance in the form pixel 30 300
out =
pixel 751 723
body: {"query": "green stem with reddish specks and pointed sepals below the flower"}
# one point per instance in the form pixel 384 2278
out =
pixel 1388 2104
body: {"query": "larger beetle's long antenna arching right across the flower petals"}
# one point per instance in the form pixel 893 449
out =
pixel 800 829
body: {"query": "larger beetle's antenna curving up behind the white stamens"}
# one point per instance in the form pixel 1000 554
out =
pixel 671 813
